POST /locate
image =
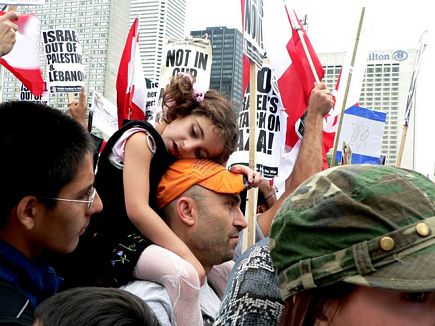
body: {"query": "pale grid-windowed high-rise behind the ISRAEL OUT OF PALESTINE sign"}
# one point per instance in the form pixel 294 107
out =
pixel 102 28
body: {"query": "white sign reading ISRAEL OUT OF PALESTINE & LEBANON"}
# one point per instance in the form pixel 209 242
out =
pixel 65 61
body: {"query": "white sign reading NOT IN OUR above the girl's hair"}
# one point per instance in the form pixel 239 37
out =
pixel 193 56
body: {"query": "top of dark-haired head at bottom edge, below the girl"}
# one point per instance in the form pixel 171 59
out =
pixel 95 306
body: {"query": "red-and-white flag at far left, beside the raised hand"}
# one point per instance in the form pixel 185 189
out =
pixel 22 61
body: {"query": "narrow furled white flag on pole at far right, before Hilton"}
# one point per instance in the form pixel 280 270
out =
pixel 411 98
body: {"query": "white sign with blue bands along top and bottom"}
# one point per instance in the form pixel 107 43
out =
pixel 363 130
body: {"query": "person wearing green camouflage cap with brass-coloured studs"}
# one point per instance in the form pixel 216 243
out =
pixel 353 239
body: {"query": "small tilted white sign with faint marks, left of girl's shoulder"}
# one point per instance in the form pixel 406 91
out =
pixel 105 116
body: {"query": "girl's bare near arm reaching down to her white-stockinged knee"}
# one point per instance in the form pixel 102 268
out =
pixel 136 191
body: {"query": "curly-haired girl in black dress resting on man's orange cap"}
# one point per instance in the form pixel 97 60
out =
pixel 194 125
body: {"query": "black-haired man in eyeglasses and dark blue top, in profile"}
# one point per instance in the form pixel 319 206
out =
pixel 48 198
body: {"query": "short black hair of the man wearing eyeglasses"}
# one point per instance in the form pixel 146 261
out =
pixel 42 150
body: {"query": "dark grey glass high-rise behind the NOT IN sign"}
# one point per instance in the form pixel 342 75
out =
pixel 226 68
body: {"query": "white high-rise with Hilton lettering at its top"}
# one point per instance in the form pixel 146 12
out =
pixel 385 88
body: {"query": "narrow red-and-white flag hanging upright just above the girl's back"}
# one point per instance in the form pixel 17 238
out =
pixel 130 82
